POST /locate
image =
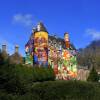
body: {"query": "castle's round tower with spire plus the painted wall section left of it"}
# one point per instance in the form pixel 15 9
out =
pixel 37 46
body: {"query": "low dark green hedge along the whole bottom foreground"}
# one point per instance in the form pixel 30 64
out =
pixel 57 90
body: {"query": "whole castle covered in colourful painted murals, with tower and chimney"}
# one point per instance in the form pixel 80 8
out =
pixel 43 50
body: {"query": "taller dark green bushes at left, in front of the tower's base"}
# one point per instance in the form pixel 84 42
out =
pixel 17 79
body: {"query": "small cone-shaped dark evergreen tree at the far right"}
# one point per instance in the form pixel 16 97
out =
pixel 93 76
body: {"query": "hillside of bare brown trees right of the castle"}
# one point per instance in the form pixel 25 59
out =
pixel 90 56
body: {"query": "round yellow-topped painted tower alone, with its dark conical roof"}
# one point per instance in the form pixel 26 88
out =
pixel 40 45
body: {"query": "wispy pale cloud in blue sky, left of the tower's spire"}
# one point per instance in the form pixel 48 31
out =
pixel 24 19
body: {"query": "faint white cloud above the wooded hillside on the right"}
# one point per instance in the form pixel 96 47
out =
pixel 93 33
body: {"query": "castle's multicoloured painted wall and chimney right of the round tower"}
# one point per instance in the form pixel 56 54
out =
pixel 63 60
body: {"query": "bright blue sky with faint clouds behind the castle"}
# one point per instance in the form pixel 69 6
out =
pixel 80 18
